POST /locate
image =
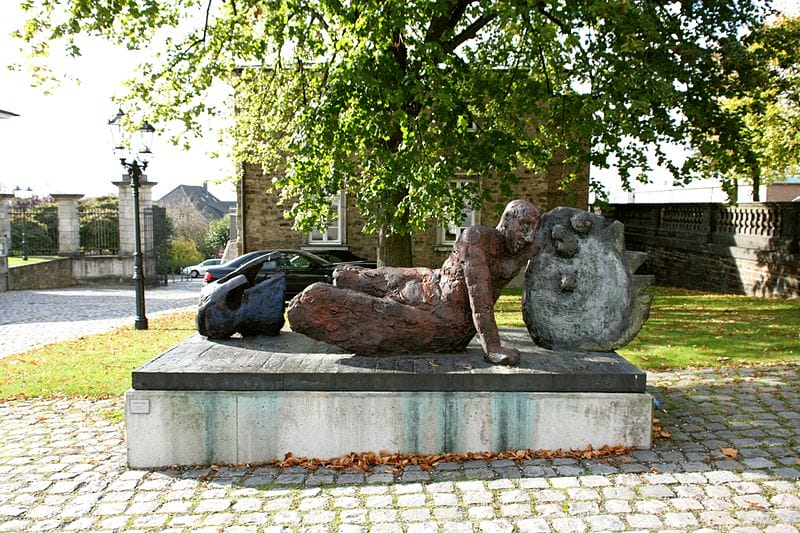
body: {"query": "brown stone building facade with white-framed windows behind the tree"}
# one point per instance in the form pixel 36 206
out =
pixel 261 222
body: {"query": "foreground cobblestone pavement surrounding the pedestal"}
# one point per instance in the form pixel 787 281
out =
pixel 732 463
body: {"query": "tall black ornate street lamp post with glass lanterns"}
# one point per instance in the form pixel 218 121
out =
pixel 137 150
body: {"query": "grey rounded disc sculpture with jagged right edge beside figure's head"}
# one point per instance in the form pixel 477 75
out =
pixel 580 291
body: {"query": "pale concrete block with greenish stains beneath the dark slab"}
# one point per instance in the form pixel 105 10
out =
pixel 234 427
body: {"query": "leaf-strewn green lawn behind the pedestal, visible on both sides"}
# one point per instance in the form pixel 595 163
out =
pixel 686 328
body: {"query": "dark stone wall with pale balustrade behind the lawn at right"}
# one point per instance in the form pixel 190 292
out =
pixel 751 249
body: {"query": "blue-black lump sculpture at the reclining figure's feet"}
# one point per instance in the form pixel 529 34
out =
pixel 237 303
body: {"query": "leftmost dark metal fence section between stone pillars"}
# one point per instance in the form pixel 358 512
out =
pixel 34 230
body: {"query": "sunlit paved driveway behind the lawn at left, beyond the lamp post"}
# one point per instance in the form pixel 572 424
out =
pixel 33 318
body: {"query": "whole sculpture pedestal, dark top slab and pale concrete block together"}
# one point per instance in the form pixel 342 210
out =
pixel 254 400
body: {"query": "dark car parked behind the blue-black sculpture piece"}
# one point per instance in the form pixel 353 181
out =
pixel 301 268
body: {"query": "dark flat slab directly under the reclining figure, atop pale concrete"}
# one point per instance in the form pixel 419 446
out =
pixel 291 361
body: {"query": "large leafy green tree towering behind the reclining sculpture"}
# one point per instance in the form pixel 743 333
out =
pixel 390 99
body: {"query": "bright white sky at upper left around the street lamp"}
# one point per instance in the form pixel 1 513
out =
pixel 61 143
